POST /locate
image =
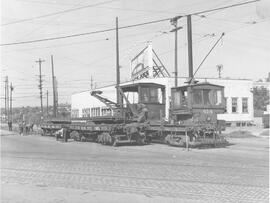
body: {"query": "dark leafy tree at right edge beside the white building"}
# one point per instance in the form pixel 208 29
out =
pixel 260 98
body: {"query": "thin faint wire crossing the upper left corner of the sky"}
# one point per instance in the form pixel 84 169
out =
pixel 57 13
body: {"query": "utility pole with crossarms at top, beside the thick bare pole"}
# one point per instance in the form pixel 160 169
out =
pixel 175 30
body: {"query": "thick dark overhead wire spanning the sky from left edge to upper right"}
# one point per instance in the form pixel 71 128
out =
pixel 124 27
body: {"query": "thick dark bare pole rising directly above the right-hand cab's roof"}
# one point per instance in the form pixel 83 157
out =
pixel 190 55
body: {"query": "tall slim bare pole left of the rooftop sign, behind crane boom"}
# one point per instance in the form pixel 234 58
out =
pixel 119 101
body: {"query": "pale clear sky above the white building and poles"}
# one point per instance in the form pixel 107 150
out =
pixel 244 51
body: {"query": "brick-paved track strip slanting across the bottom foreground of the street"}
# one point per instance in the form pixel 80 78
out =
pixel 129 184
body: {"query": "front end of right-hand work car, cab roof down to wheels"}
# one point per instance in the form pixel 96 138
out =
pixel 196 106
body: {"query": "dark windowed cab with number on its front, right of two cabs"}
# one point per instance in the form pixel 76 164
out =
pixel 204 97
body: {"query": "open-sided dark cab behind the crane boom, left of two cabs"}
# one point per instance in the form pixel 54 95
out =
pixel 152 95
